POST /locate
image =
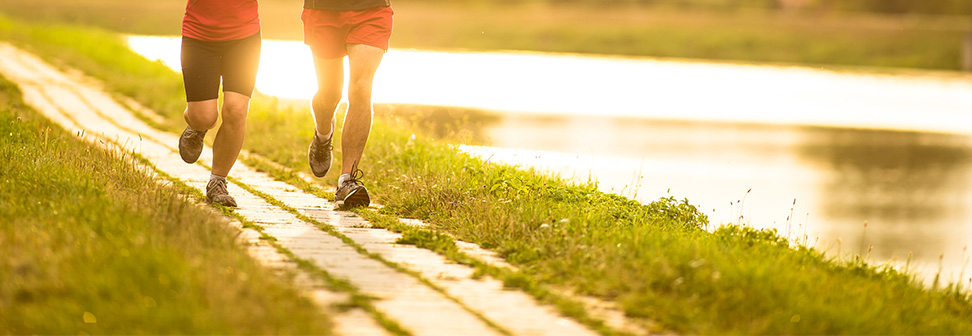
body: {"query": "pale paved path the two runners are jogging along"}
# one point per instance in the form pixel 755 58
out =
pixel 435 296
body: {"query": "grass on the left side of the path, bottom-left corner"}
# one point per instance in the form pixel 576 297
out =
pixel 91 244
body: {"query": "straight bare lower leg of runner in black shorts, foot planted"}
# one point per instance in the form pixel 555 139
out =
pixel 229 139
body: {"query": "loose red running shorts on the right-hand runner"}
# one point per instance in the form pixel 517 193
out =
pixel 328 32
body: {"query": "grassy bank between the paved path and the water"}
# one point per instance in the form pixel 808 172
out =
pixel 653 259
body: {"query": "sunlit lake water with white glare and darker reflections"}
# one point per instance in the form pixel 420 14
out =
pixel 708 132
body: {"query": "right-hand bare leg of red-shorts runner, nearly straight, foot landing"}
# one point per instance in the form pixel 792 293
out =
pixel 364 61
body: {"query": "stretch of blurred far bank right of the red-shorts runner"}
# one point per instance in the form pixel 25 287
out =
pixel 748 36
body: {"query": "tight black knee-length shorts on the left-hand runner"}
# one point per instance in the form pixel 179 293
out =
pixel 204 63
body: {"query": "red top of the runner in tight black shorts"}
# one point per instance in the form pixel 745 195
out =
pixel 221 20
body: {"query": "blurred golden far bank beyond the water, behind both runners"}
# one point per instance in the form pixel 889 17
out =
pixel 825 33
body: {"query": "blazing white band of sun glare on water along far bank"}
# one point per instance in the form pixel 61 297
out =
pixel 614 86
